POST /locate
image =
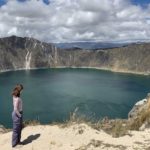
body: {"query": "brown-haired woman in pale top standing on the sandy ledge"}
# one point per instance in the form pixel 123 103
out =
pixel 17 115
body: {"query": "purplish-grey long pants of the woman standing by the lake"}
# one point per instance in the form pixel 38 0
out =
pixel 17 128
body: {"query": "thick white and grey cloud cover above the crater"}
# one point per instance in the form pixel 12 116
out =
pixel 74 20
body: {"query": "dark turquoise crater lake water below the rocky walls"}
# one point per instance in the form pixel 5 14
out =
pixel 51 94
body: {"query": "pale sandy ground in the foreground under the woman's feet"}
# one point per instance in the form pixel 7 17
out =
pixel 75 137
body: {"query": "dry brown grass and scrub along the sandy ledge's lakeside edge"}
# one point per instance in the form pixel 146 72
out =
pixel 114 127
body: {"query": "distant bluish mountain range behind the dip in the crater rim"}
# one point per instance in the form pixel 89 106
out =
pixel 89 45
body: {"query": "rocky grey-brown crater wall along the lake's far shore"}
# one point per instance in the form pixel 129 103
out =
pixel 27 53
